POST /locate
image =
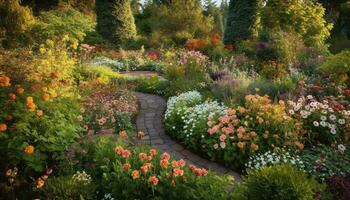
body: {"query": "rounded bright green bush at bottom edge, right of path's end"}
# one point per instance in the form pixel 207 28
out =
pixel 275 183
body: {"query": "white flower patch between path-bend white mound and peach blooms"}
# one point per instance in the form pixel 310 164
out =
pixel 199 114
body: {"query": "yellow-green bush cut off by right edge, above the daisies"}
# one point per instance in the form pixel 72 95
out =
pixel 337 67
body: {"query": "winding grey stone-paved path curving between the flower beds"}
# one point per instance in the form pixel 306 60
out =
pixel 150 120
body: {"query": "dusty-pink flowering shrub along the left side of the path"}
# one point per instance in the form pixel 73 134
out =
pixel 100 109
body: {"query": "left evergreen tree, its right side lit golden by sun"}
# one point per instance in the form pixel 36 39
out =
pixel 115 20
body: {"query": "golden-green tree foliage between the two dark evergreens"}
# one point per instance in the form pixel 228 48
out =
pixel 181 20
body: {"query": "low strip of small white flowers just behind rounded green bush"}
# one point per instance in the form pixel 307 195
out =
pixel 270 158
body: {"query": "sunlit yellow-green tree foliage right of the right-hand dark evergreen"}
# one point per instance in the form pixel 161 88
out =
pixel 303 17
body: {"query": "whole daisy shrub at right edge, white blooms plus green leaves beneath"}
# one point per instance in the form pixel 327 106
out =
pixel 325 123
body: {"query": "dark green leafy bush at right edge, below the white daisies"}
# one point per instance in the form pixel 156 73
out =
pixel 323 161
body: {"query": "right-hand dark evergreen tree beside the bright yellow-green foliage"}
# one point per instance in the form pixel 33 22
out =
pixel 242 20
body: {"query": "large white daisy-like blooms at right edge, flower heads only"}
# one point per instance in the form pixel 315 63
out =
pixel 327 116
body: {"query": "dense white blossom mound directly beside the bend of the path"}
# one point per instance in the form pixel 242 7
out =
pixel 187 97
